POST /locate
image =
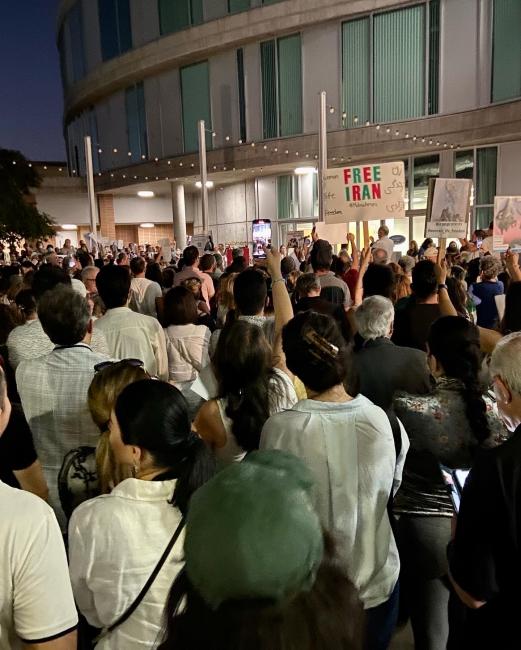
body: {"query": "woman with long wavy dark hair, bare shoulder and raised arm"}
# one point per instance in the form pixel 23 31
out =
pixel 253 380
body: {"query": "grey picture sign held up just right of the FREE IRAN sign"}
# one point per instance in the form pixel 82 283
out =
pixel 448 207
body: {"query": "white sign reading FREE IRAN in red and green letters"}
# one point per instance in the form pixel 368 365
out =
pixel 364 192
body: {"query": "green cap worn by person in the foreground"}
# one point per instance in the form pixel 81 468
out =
pixel 252 532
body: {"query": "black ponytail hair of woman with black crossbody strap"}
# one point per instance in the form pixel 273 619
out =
pixel 154 415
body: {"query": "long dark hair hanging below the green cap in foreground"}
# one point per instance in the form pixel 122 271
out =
pixel 327 617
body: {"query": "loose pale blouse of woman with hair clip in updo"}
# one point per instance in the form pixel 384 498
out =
pixel 349 449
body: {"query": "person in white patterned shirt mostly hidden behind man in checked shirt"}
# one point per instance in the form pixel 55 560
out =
pixel 29 341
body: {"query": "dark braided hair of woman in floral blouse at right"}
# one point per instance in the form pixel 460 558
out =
pixel 454 342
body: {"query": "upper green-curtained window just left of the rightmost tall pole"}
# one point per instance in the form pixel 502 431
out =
pixel 281 68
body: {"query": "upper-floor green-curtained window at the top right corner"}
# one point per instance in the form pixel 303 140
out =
pixel 506 55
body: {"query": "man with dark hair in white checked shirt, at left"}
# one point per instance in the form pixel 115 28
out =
pixel 53 388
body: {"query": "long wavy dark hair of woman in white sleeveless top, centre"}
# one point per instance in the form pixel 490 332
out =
pixel 243 366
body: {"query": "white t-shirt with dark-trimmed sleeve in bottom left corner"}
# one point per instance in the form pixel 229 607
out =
pixel 36 601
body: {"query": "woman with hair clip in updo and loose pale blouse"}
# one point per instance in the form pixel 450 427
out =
pixel 347 443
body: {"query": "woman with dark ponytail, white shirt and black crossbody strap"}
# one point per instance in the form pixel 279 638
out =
pixel 117 539
